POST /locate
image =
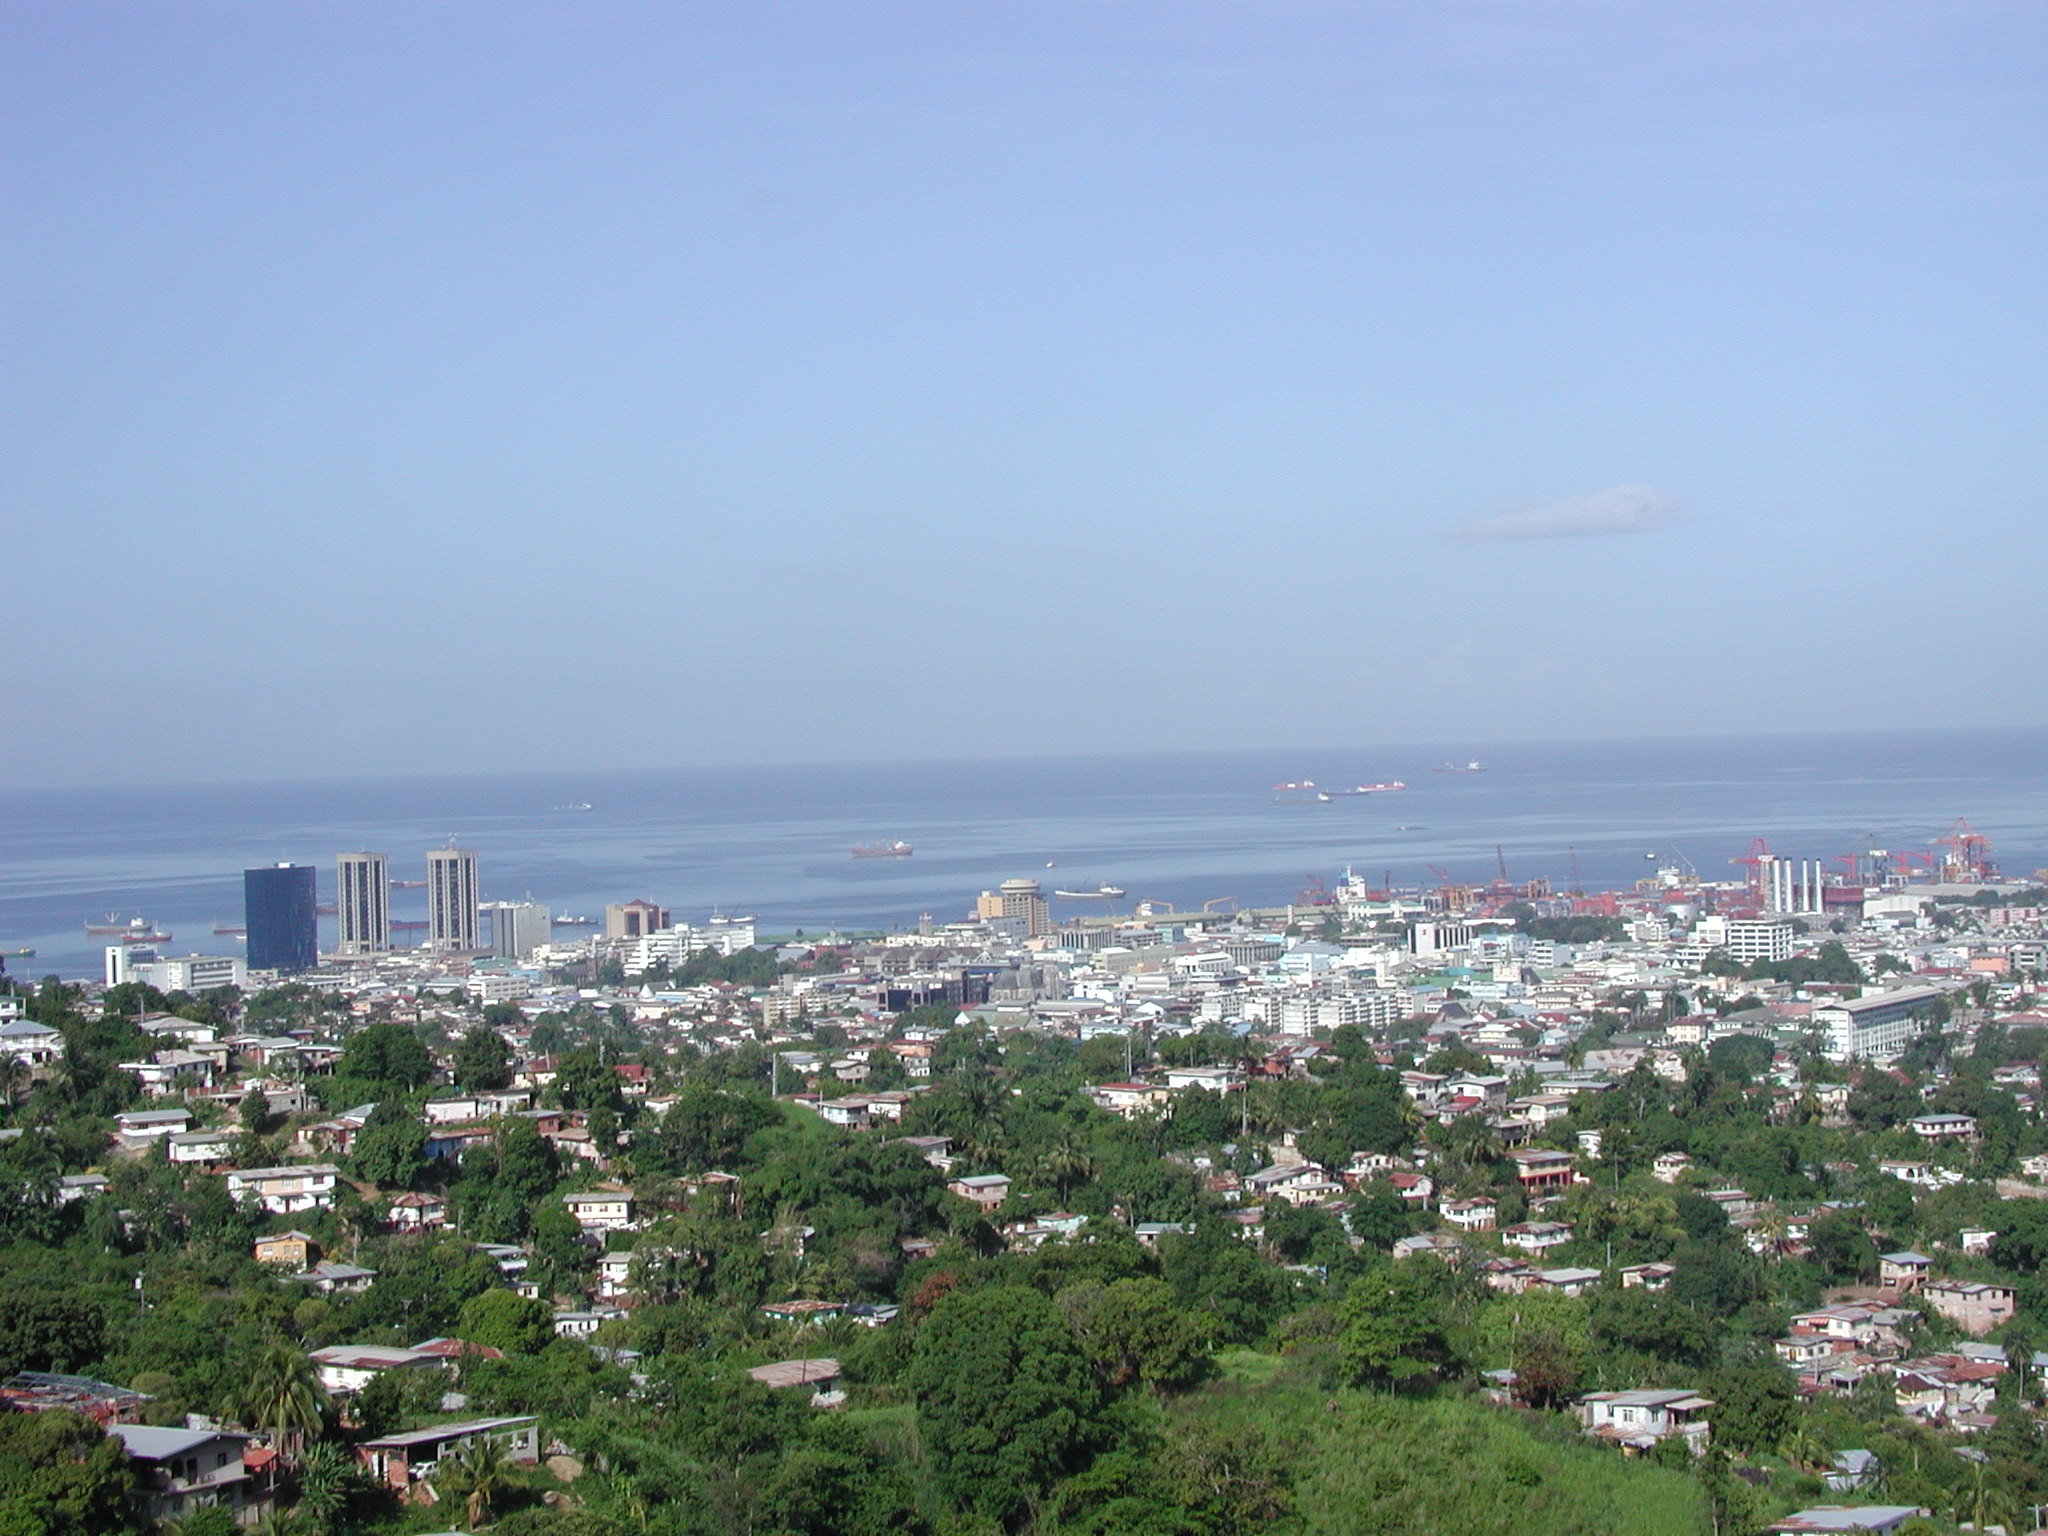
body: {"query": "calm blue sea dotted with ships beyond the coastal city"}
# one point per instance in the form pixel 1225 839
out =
pixel 1168 826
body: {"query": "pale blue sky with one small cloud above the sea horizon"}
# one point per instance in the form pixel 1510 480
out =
pixel 415 388
